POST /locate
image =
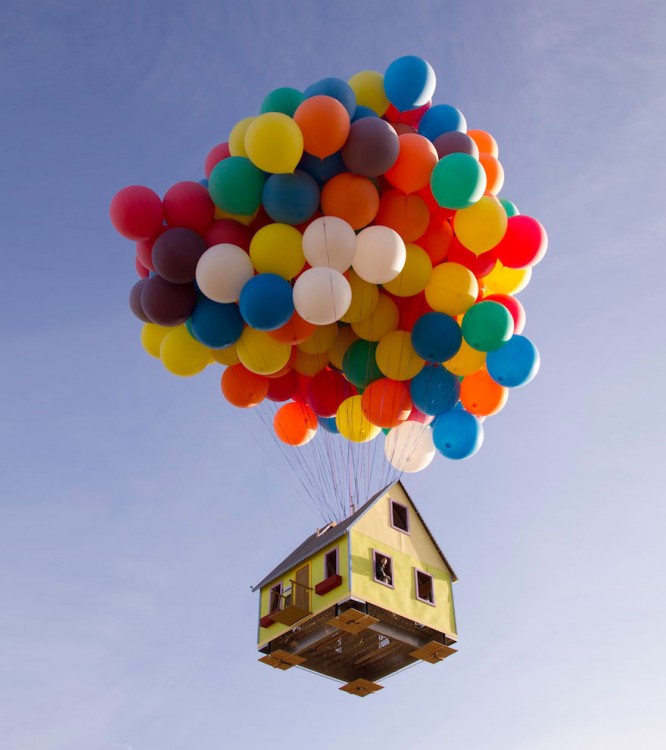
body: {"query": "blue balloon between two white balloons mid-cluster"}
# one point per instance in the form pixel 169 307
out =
pixel 266 302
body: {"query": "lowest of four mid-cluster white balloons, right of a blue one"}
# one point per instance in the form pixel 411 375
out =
pixel 321 295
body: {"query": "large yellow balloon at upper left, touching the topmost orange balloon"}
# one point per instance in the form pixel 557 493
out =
pixel 274 143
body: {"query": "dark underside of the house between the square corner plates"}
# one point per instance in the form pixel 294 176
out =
pixel 368 654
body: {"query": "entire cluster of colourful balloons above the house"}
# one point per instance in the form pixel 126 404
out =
pixel 348 255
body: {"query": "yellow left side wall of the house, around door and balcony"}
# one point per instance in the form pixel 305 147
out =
pixel 318 603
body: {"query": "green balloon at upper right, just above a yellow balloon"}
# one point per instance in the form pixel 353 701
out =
pixel 458 181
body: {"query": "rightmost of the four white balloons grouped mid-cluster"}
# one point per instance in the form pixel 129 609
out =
pixel 380 254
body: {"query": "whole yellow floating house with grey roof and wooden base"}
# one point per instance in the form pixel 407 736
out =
pixel 361 599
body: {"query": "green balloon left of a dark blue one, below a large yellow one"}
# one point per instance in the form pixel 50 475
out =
pixel 235 185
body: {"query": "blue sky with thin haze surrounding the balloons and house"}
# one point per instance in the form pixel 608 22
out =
pixel 136 509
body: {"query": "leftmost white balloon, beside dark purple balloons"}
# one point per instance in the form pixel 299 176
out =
pixel 222 271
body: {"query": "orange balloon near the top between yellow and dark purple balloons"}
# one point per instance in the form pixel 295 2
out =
pixel 324 123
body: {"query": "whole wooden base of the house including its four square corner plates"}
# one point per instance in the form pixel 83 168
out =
pixel 358 644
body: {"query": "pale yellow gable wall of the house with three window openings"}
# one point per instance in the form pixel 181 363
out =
pixel 408 551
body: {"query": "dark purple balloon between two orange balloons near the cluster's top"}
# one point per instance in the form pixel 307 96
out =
pixel 371 148
